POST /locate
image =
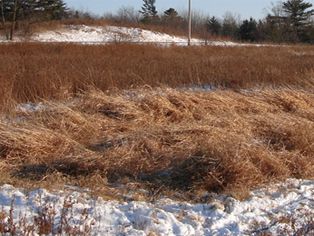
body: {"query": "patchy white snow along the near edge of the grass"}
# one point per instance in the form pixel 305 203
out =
pixel 282 208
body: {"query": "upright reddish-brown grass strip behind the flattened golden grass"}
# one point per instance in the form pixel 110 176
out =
pixel 30 72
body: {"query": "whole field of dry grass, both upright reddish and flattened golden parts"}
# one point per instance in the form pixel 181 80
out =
pixel 122 114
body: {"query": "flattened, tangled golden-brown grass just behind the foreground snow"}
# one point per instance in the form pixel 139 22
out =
pixel 165 140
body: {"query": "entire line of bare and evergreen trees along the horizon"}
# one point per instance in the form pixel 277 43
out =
pixel 288 21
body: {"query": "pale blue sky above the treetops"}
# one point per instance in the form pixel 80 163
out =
pixel 246 8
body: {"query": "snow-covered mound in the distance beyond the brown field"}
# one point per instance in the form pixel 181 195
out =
pixel 110 34
